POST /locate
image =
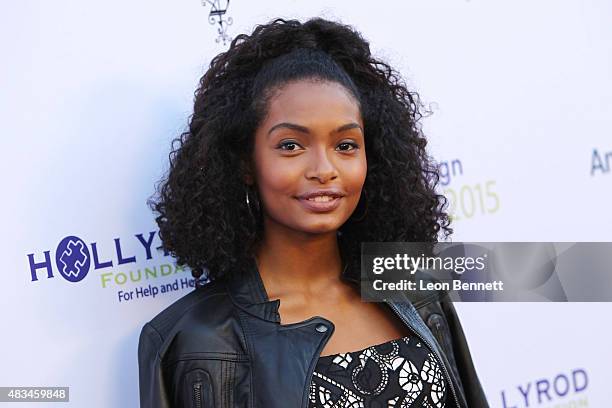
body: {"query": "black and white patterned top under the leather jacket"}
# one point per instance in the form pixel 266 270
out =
pixel 401 373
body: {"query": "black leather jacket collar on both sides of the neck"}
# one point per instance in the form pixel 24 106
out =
pixel 248 292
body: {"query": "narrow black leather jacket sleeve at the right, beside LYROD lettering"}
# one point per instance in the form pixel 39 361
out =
pixel 474 393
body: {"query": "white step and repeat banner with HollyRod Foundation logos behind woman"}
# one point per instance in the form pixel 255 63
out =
pixel 93 93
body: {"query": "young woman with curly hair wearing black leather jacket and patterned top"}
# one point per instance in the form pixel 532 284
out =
pixel 301 146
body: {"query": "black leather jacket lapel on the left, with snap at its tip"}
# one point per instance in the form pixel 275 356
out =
pixel 282 357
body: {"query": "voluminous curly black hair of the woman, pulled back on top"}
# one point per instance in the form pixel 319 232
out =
pixel 203 219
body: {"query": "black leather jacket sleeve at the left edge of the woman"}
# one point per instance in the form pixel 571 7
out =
pixel 152 388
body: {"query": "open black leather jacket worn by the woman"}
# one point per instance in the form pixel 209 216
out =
pixel 222 345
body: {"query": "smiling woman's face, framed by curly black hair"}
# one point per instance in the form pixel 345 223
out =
pixel 311 140
